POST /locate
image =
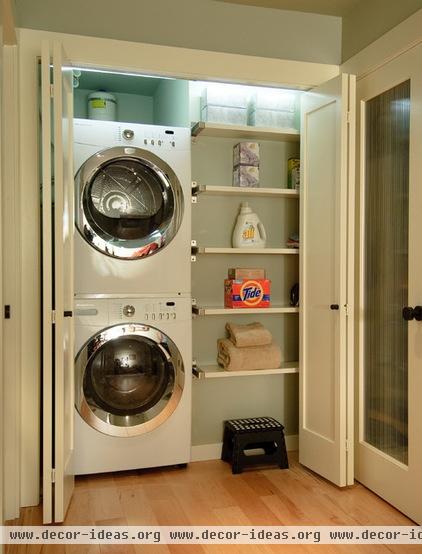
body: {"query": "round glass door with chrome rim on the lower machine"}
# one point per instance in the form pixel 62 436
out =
pixel 128 380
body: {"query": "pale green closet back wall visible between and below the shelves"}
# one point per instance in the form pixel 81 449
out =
pixel 213 219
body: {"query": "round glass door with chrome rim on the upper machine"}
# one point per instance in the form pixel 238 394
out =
pixel 129 202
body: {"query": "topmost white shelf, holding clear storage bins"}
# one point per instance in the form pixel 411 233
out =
pixel 244 131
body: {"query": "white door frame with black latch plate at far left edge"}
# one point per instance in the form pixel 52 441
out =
pixel 10 267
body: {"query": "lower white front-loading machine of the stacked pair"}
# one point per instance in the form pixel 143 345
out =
pixel 133 377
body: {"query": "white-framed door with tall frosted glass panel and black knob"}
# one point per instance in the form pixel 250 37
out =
pixel 389 449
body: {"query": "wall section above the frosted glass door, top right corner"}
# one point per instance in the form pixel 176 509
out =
pixel 370 19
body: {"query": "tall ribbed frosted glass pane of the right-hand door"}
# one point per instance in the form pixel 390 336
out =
pixel 386 271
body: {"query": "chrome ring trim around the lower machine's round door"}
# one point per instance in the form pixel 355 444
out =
pixel 131 425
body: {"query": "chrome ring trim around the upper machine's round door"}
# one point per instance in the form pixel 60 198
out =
pixel 101 240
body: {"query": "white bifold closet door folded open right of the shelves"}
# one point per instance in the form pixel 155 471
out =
pixel 326 276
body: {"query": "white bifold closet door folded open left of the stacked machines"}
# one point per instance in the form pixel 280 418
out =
pixel 57 221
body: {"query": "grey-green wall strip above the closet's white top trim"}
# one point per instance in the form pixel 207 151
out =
pixel 198 24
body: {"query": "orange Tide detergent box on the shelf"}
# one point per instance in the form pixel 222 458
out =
pixel 247 293
